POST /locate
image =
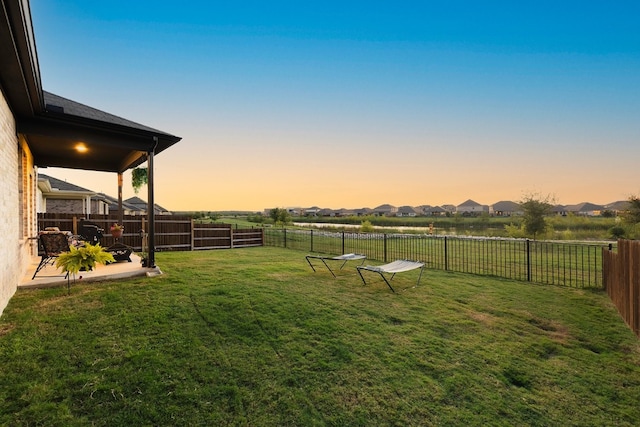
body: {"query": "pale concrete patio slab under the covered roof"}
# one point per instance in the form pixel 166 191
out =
pixel 51 276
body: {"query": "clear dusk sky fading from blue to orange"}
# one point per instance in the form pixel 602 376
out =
pixel 359 103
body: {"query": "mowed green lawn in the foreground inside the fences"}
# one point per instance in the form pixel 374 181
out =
pixel 254 337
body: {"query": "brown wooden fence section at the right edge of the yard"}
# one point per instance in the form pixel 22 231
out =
pixel 621 277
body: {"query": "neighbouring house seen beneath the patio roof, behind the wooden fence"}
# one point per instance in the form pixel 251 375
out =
pixel 57 196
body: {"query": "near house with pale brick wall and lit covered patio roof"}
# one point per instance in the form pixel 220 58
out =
pixel 40 129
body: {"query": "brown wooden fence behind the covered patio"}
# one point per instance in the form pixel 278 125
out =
pixel 173 233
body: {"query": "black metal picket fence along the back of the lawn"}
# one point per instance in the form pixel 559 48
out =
pixel 567 264
